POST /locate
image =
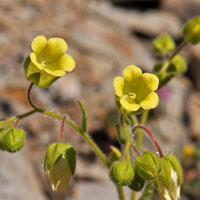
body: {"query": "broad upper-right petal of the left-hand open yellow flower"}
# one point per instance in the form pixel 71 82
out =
pixel 56 46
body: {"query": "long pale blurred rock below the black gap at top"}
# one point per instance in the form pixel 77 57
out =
pixel 151 22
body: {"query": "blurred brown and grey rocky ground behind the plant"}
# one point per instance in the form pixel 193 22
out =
pixel 104 36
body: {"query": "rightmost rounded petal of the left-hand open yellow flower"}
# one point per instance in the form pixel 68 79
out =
pixel 66 62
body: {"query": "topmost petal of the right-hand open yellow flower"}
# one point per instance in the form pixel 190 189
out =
pixel 132 72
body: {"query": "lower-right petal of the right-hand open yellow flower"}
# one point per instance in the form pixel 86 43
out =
pixel 150 101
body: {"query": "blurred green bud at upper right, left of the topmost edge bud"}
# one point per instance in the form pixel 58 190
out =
pixel 163 44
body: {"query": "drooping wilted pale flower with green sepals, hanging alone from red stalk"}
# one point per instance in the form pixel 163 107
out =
pixel 60 163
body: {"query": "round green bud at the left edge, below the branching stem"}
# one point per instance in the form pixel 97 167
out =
pixel 13 140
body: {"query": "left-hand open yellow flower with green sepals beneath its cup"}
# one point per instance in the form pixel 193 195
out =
pixel 48 61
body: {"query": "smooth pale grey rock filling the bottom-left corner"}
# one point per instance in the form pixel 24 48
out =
pixel 18 181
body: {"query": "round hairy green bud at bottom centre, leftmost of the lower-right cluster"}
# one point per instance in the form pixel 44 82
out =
pixel 122 172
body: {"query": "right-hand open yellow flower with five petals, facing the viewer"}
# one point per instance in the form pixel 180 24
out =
pixel 136 90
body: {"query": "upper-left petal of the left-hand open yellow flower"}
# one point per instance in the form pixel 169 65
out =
pixel 38 44
